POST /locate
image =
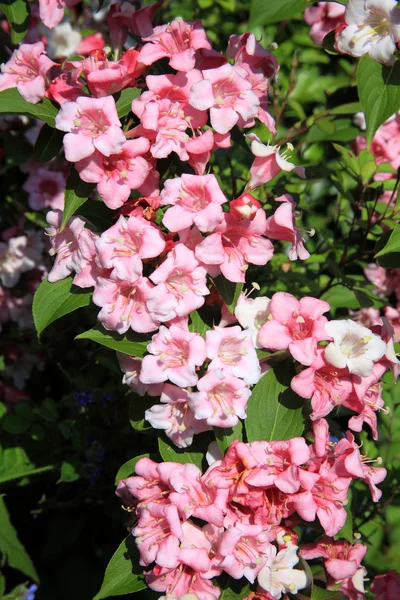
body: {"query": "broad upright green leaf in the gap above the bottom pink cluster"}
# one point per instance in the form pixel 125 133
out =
pixel 274 411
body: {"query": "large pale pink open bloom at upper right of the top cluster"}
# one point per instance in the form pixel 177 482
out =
pixel 228 96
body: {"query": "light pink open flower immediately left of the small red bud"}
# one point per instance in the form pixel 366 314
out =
pixel 196 199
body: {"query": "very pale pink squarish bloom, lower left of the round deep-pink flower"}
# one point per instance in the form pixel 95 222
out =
pixel 232 350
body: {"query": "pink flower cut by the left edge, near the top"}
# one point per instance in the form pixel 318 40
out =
pixel 27 71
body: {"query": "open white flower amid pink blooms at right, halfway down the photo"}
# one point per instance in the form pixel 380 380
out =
pixel 353 346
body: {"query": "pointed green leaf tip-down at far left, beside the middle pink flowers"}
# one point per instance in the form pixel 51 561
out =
pixel 54 300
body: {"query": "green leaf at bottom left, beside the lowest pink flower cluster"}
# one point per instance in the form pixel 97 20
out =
pixel 123 574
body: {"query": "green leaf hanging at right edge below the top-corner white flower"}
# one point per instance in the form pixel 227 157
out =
pixel 379 92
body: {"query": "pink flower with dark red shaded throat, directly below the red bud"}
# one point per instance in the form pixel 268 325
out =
pixel 236 243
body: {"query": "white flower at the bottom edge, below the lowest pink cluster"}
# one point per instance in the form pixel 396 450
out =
pixel 278 576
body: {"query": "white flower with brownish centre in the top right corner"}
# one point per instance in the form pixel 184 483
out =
pixel 373 27
